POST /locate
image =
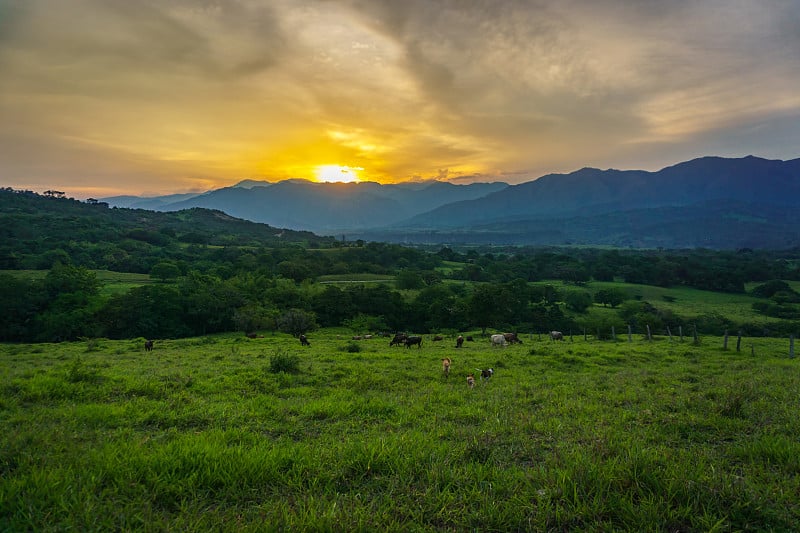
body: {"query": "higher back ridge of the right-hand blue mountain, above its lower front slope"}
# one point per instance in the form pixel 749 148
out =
pixel 591 191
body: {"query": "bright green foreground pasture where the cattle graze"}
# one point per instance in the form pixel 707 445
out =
pixel 226 433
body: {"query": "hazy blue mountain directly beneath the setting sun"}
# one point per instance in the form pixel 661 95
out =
pixel 326 207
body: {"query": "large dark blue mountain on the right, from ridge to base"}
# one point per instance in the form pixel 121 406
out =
pixel 708 202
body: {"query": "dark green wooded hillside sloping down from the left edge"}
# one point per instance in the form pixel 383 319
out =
pixel 34 225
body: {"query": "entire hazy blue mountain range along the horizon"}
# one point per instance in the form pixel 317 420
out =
pixel 709 202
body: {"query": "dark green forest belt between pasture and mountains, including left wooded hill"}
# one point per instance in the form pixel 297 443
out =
pixel 210 272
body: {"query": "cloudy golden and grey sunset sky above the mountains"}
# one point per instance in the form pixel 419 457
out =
pixel 146 97
